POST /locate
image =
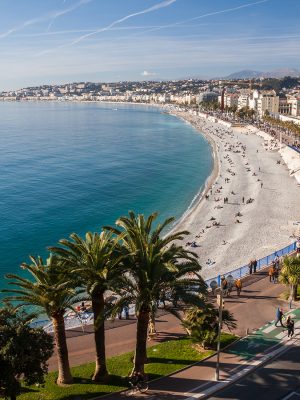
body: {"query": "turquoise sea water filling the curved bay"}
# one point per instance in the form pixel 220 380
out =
pixel 68 167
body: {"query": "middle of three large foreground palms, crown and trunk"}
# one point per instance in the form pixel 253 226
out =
pixel 96 265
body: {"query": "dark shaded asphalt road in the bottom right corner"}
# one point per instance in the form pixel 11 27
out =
pixel 276 380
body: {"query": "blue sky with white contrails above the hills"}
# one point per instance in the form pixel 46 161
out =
pixel 58 41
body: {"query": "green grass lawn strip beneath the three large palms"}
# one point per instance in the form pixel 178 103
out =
pixel 164 358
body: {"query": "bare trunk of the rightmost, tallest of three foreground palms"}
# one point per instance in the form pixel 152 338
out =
pixel 140 357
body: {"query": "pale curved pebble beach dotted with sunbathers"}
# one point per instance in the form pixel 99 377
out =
pixel 250 206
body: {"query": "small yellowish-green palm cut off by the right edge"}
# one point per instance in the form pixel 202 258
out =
pixel 290 274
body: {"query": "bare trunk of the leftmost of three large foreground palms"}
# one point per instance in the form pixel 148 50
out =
pixel 64 372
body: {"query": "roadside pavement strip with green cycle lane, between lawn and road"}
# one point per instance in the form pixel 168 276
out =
pixel 198 380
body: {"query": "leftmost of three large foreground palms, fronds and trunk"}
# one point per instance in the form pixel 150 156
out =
pixel 49 292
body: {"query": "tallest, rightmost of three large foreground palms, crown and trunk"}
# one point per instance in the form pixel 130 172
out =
pixel 155 265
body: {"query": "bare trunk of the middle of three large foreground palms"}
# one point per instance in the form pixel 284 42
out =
pixel 100 373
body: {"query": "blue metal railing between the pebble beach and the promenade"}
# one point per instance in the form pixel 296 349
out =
pixel 261 263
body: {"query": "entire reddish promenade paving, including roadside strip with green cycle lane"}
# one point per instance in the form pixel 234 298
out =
pixel 255 312
